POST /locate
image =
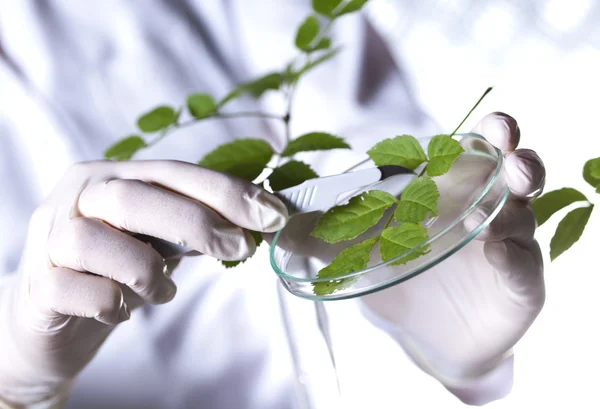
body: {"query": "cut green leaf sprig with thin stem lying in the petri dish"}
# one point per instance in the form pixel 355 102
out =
pixel 419 200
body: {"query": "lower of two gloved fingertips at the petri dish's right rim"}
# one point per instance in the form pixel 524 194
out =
pixel 525 174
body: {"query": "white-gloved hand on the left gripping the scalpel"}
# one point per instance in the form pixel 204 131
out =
pixel 81 272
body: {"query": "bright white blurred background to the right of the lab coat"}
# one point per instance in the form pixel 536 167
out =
pixel 543 58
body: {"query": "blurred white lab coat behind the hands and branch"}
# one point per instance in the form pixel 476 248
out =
pixel 75 74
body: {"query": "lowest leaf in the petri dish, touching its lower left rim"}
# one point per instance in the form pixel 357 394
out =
pixel 352 259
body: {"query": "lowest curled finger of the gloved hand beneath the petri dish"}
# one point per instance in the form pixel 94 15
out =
pixel 520 267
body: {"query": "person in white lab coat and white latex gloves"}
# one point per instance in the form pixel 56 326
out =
pixel 134 334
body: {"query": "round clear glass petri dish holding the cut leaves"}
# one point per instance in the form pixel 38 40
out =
pixel 475 180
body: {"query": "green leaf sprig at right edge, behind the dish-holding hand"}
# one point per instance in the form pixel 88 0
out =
pixel 572 226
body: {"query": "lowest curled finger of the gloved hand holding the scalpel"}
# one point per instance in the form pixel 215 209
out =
pixel 71 293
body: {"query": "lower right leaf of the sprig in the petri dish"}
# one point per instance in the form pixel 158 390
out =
pixel 400 239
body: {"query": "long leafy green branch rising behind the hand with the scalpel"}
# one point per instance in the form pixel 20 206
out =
pixel 248 158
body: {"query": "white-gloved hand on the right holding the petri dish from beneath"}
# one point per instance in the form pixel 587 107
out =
pixel 459 320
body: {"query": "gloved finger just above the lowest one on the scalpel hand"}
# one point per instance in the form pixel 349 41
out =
pixel 89 245
